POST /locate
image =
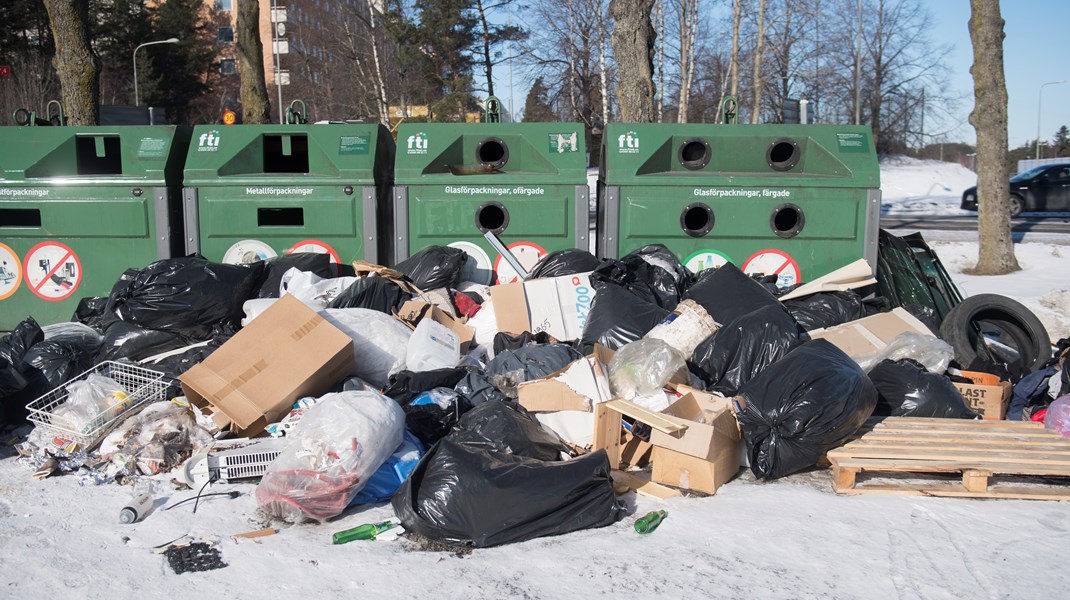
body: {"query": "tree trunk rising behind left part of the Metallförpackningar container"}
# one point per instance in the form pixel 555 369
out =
pixel 251 65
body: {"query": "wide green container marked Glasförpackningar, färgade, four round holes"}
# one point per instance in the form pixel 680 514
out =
pixel 798 202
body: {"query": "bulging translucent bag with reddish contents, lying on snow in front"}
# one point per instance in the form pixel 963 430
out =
pixel 340 443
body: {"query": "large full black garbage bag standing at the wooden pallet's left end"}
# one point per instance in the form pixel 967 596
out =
pixel 803 406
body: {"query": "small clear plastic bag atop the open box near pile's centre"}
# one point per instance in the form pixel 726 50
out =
pixel 644 367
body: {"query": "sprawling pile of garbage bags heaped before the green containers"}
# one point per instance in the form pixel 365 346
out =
pixel 427 412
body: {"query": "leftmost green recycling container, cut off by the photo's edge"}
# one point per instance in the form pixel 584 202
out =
pixel 79 206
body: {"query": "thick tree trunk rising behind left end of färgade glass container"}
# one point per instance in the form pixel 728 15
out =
pixel 634 49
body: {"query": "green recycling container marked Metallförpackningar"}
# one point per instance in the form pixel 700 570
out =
pixel 257 192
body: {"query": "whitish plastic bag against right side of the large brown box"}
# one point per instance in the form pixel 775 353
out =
pixel 379 342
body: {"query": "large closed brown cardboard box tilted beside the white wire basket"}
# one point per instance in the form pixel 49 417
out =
pixel 253 380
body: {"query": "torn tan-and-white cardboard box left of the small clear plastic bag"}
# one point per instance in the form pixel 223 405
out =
pixel 577 388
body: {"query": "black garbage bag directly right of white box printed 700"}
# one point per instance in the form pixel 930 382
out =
pixel 618 318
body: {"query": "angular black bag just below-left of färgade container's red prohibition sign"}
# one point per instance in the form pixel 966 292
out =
pixel 727 294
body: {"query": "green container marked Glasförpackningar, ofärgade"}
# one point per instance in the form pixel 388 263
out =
pixel 525 182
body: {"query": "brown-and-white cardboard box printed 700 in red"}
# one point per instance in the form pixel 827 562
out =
pixel 556 305
